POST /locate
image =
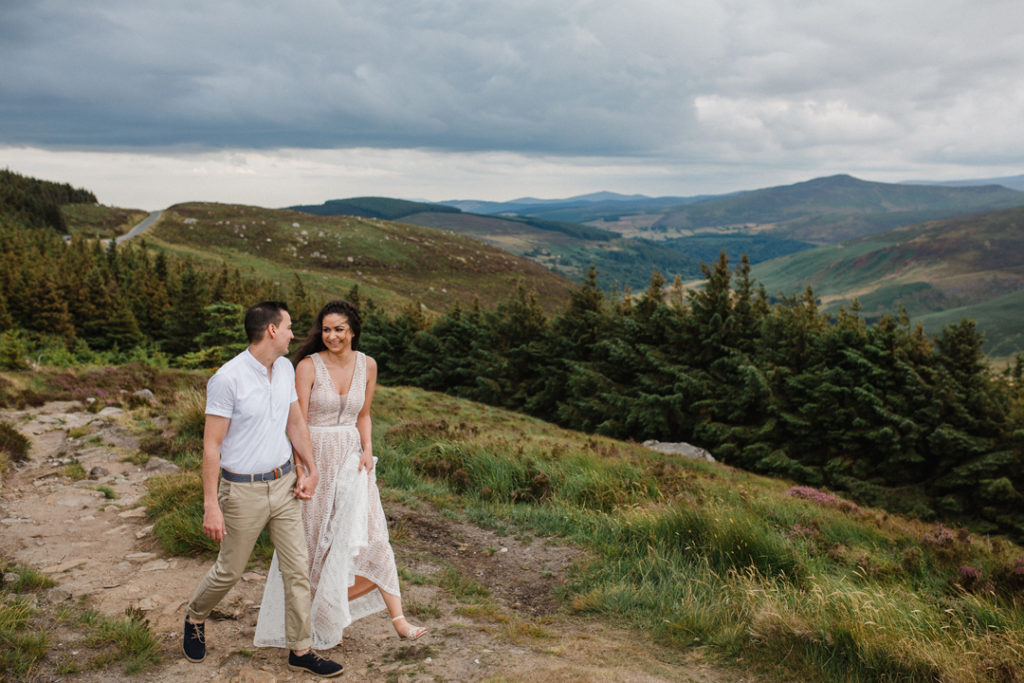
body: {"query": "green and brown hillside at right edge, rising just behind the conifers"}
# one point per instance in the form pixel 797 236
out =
pixel 971 266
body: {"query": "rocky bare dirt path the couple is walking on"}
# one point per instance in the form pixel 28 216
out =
pixel 103 550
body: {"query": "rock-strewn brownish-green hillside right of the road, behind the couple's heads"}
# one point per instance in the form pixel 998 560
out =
pixel 394 264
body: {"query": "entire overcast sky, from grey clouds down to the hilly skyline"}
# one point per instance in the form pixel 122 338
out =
pixel 278 103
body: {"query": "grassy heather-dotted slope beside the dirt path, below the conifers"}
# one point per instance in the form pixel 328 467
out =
pixel 699 554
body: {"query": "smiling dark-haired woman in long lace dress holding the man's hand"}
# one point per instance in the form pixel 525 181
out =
pixel 352 566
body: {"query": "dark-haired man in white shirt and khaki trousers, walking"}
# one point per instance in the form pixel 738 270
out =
pixel 253 423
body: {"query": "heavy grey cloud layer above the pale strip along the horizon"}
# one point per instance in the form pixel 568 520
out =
pixel 718 81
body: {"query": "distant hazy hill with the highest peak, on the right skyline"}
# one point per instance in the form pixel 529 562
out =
pixel 834 209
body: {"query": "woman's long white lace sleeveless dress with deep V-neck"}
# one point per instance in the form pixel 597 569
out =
pixel 347 531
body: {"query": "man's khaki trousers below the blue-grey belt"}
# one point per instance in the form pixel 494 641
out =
pixel 247 509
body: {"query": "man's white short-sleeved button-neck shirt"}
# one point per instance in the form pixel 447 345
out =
pixel 259 410
